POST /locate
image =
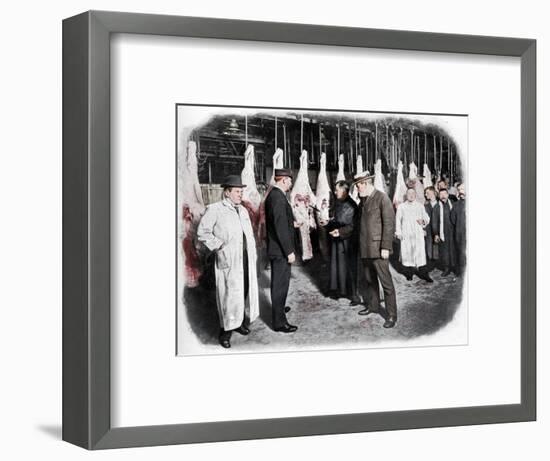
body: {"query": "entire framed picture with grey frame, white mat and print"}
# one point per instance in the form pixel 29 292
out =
pixel 275 230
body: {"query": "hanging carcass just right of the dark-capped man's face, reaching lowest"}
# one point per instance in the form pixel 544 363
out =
pixel 303 202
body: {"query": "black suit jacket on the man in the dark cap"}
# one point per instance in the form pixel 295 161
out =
pixel 279 221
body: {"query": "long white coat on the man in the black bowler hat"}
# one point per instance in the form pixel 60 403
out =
pixel 222 226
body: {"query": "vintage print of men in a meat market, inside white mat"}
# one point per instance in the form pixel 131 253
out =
pixel 308 229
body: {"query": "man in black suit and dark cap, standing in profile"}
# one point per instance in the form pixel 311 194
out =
pixel 280 247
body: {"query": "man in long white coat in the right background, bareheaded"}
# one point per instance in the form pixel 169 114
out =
pixel 410 220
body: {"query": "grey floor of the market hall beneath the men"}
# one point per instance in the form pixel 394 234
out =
pixel 324 323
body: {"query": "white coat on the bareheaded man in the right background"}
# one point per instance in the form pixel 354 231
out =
pixel 413 250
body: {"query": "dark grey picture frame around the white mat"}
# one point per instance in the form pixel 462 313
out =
pixel 86 229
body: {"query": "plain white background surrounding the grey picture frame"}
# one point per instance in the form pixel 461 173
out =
pixel 30 234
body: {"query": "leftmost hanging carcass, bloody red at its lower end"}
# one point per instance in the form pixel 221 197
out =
pixel 192 209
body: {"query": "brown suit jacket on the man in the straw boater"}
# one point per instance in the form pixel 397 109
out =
pixel 377 225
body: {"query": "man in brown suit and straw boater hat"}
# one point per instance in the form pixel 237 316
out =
pixel 376 231
